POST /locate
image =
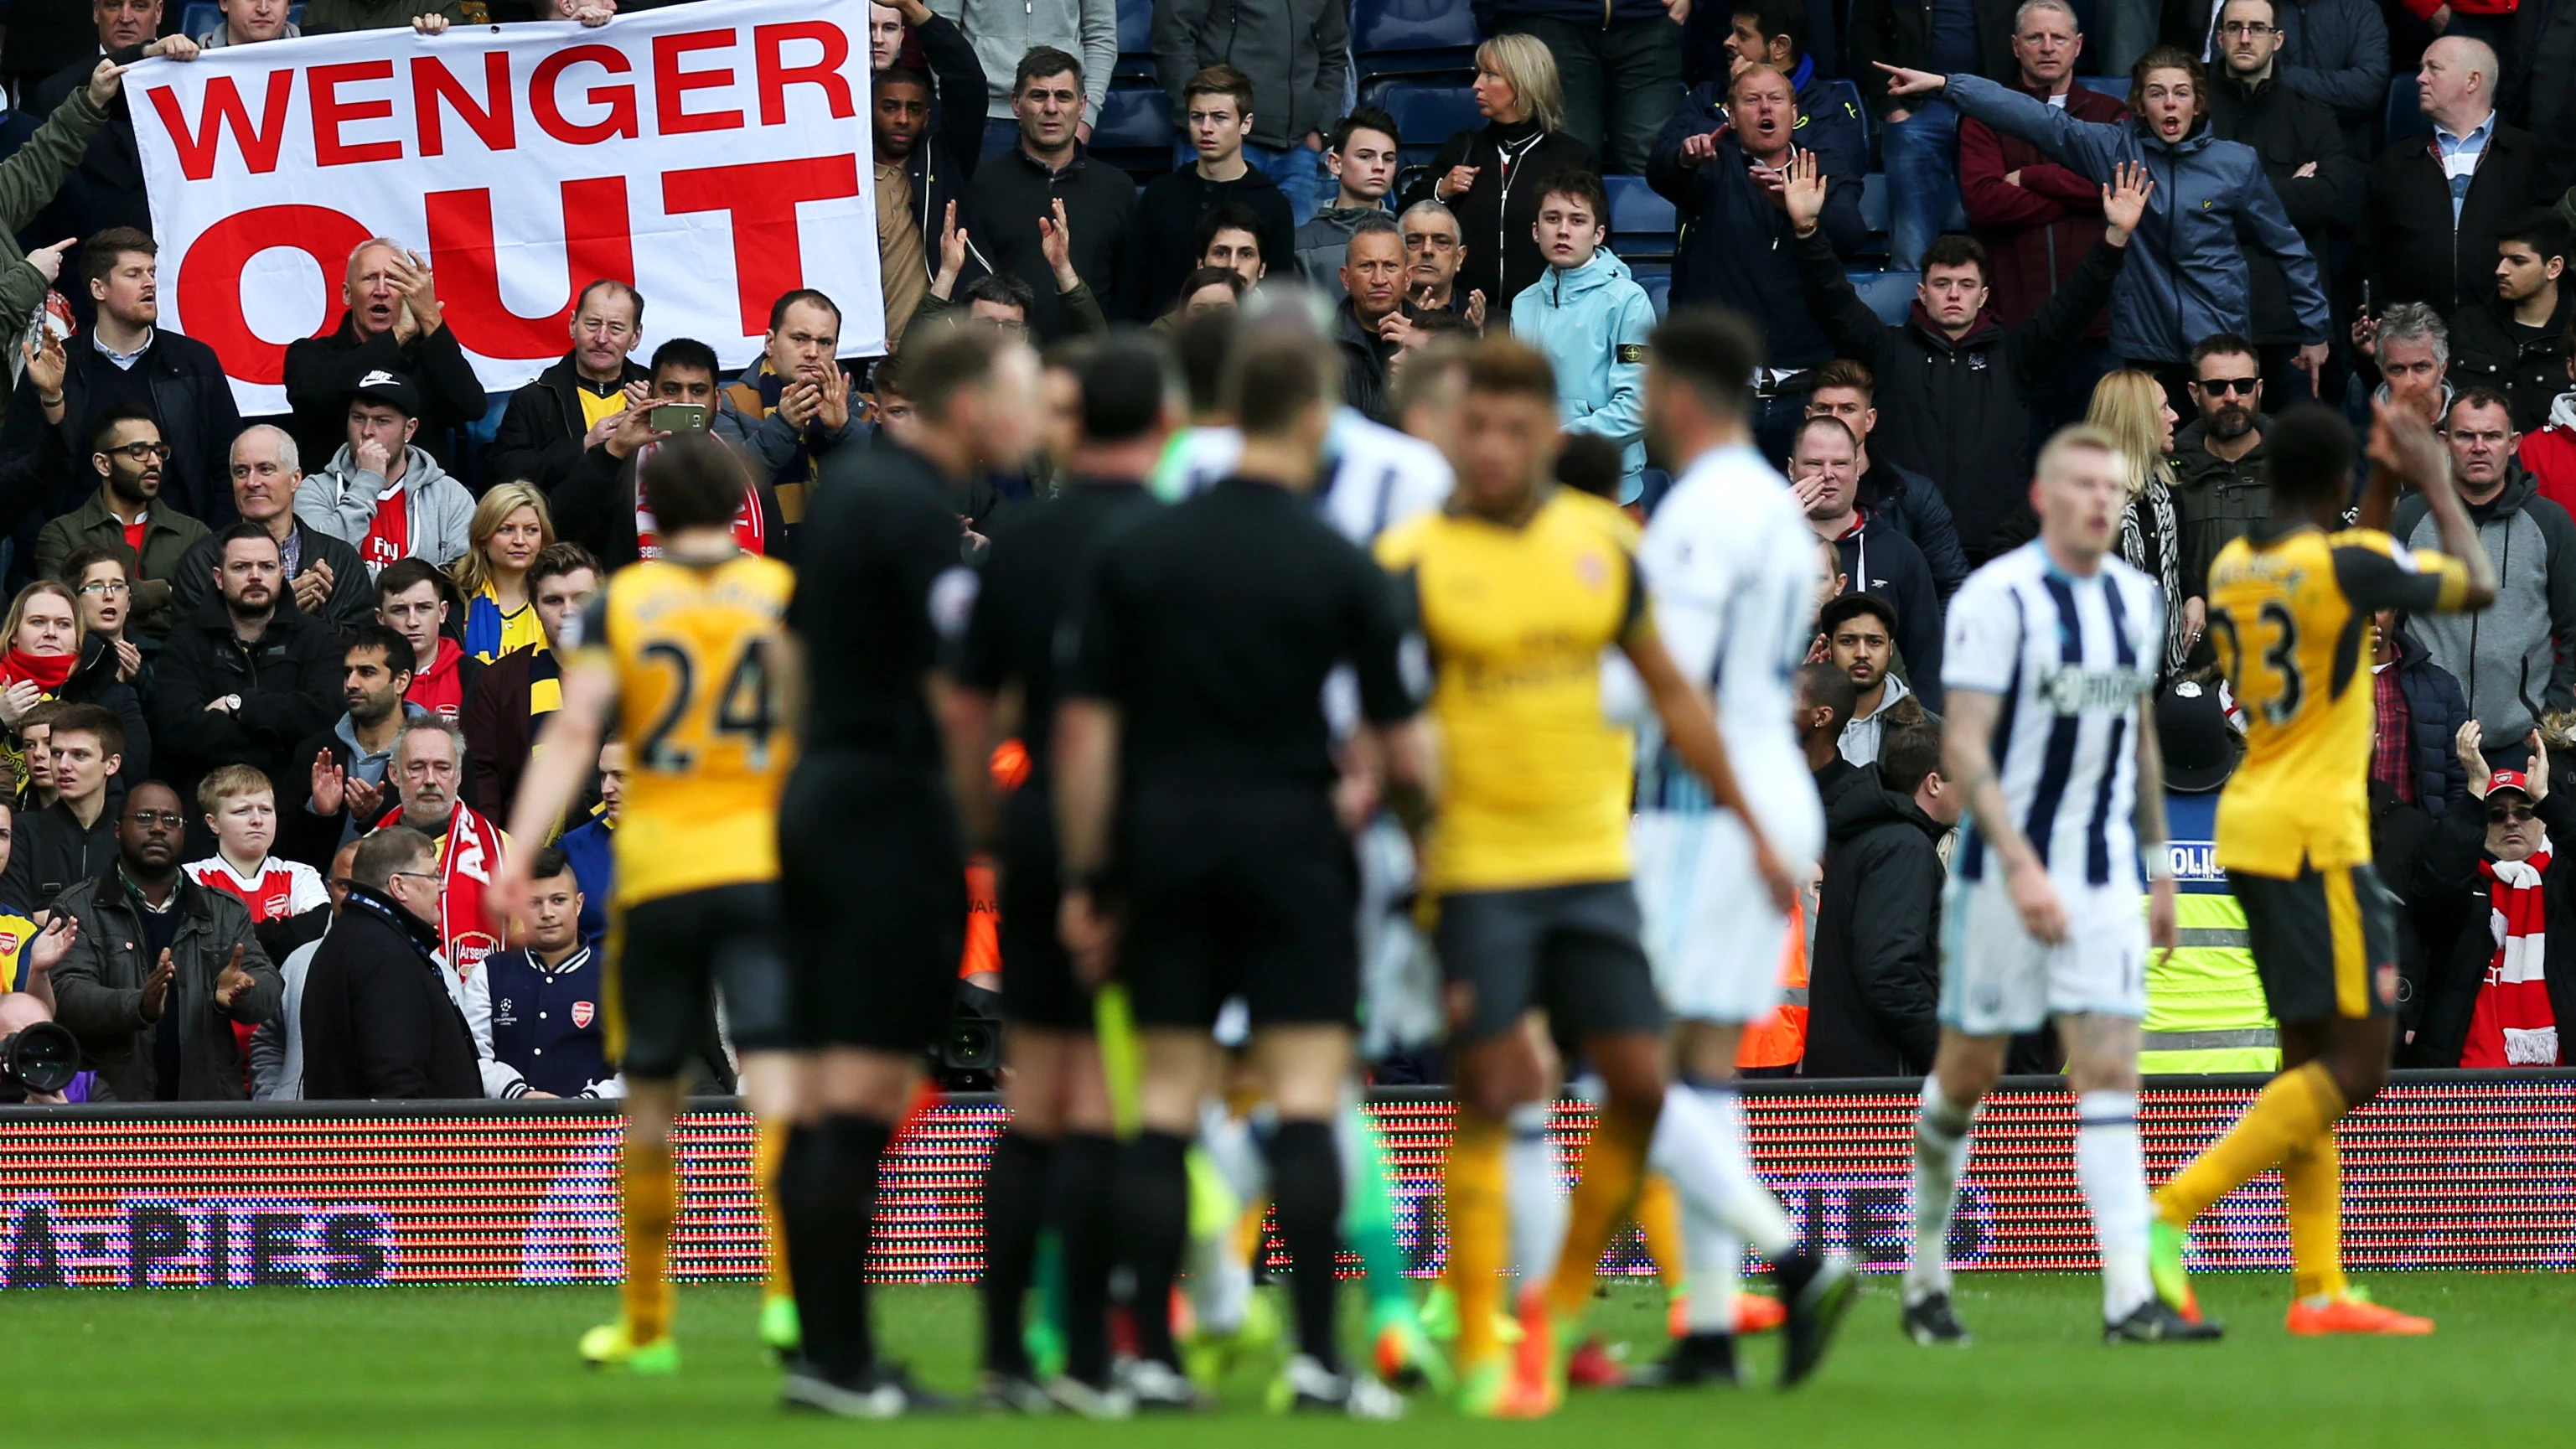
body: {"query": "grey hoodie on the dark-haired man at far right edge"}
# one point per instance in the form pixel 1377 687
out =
pixel 2503 656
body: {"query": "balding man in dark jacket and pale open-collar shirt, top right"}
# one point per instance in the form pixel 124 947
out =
pixel 2436 208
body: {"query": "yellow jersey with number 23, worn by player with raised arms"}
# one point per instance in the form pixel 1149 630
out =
pixel 2291 623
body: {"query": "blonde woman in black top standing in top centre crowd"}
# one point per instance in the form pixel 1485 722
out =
pixel 1493 177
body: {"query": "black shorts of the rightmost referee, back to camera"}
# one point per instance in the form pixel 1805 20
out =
pixel 1248 893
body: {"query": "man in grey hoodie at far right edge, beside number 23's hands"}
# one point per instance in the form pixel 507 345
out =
pixel 2503 656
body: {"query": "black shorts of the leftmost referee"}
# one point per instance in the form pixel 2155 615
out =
pixel 872 868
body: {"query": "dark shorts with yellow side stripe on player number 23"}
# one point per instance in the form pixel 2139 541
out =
pixel 2325 945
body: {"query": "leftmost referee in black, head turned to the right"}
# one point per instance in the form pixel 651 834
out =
pixel 869 842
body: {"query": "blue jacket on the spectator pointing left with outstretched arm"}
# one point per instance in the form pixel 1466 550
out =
pixel 2188 272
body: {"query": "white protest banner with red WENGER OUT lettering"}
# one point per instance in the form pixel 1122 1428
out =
pixel 712 156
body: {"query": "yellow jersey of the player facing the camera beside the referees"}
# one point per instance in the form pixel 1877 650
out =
pixel 1534 780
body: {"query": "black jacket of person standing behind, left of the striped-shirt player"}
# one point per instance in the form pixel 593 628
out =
pixel 1874 981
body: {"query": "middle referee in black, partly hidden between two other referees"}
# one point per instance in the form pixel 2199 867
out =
pixel 1055 1162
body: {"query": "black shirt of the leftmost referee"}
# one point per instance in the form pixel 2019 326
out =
pixel 882 561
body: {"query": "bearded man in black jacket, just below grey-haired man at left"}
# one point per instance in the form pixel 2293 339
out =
pixel 243 682
